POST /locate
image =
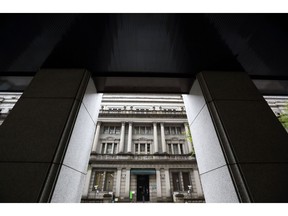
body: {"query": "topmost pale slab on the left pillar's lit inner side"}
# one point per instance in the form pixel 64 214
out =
pixel 92 100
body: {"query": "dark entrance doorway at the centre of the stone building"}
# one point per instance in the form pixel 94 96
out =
pixel 143 188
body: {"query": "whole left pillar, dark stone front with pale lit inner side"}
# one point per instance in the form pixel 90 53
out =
pixel 47 138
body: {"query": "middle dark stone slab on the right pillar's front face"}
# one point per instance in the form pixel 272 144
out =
pixel 255 134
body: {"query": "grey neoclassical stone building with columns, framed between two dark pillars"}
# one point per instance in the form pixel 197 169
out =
pixel 142 151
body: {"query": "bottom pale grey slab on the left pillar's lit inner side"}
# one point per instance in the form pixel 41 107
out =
pixel 69 186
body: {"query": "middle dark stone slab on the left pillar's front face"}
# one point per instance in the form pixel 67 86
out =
pixel 33 129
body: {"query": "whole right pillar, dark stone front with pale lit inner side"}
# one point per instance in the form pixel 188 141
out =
pixel 241 148
